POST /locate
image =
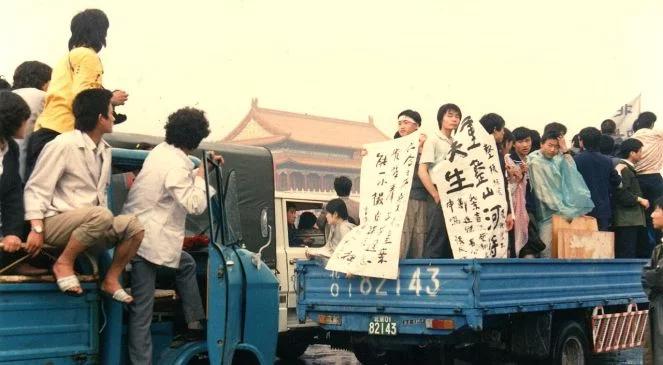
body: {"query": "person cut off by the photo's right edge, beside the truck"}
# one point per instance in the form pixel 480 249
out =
pixel 652 281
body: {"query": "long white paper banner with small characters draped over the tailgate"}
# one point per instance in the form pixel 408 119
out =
pixel 373 248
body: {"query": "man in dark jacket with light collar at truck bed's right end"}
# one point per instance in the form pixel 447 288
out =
pixel 629 216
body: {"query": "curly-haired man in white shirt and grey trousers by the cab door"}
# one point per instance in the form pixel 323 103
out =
pixel 167 189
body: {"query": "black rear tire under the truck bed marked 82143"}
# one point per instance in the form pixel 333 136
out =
pixel 570 345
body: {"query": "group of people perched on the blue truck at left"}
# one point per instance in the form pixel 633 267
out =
pixel 55 173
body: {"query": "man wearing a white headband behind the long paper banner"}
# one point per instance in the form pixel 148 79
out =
pixel 415 224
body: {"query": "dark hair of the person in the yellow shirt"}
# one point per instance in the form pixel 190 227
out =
pixel 88 29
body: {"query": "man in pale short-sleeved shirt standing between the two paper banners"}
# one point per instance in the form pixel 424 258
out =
pixel 434 151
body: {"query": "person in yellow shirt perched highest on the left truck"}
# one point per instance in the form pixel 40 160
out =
pixel 79 70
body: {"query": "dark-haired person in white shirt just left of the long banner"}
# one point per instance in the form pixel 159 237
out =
pixel 336 214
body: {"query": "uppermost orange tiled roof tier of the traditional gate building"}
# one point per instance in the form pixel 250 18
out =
pixel 265 127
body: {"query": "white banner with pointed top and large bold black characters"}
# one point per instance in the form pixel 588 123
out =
pixel 471 187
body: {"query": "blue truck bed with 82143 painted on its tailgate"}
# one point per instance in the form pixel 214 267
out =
pixel 526 310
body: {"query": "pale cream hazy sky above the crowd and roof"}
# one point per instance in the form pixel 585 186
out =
pixel 530 61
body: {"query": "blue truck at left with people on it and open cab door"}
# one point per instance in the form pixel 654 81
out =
pixel 40 325
